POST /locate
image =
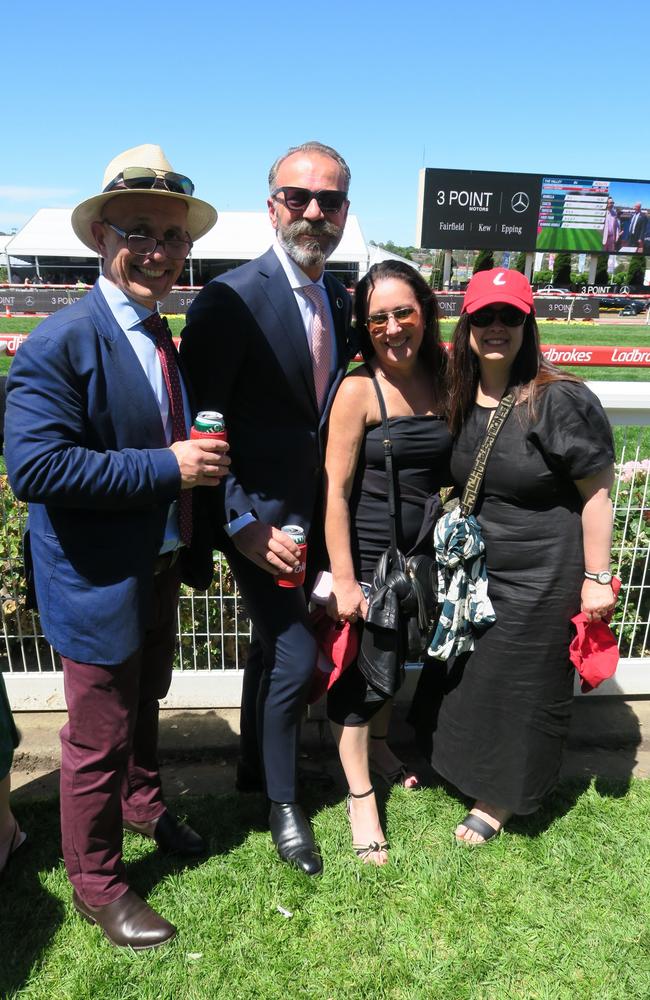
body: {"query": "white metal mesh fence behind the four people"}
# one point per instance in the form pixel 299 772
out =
pixel 214 631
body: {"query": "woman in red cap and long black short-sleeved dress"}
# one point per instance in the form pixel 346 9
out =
pixel 502 710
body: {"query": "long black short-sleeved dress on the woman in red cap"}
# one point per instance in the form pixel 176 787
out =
pixel 494 720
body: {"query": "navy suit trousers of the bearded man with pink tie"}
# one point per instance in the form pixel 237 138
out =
pixel 277 676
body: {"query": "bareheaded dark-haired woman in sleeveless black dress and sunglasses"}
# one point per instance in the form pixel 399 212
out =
pixel 397 323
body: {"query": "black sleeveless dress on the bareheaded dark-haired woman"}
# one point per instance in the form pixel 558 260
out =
pixel 421 448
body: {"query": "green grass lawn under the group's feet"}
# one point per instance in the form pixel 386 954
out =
pixel 555 909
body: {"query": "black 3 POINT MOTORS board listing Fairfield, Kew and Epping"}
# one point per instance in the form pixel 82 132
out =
pixel 470 210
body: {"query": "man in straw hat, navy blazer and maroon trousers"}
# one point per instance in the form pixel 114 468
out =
pixel 95 440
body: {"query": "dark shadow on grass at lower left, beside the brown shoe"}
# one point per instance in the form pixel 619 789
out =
pixel 29 915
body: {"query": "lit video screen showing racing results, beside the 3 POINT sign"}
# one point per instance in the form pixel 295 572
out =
pixel 592 215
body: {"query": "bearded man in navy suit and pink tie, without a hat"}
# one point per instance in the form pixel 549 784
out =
pixel 267 344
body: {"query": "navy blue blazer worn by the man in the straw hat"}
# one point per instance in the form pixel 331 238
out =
pixel 85 446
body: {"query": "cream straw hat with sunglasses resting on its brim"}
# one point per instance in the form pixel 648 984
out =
pixel 200 216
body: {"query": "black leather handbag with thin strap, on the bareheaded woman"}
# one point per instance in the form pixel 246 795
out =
pixel 402 600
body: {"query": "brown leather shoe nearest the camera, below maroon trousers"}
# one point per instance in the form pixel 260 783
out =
pixel 128 922
